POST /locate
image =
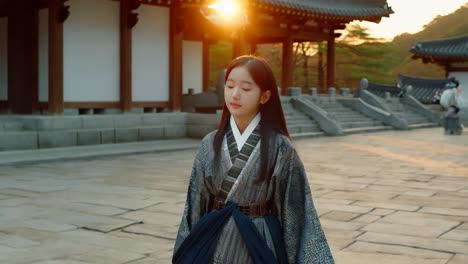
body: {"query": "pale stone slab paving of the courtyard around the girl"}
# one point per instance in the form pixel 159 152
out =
pixel 388 197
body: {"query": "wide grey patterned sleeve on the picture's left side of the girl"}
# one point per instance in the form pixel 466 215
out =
pixel 198 197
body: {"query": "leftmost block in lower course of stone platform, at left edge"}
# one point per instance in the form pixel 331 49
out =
pixel 18 140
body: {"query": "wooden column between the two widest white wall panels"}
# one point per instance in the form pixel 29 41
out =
pixel 125 56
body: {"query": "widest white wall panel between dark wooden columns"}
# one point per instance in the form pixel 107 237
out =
pixel 91 51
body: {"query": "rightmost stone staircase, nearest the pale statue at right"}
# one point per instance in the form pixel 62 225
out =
pixel 412 117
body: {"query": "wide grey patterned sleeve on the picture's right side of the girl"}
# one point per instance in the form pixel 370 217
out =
pixel 304 238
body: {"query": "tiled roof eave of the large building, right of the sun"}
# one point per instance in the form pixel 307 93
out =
pixel 344 9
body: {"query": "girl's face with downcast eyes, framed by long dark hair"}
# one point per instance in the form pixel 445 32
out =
pixel 242 95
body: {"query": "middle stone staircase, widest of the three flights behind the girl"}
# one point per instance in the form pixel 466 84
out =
pixel 350 120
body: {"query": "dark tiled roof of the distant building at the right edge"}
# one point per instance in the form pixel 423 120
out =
pixel 446 49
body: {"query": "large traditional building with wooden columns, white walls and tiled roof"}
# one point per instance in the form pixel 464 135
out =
pixel 110 54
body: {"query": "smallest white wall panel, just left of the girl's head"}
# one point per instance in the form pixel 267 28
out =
pixel 192 66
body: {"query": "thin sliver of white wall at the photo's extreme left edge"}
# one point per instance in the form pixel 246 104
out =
pixel 3 58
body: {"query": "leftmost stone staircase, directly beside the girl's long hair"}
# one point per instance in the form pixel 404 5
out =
pixel 299 124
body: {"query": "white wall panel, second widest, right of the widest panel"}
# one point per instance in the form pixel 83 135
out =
pixel 150 54
